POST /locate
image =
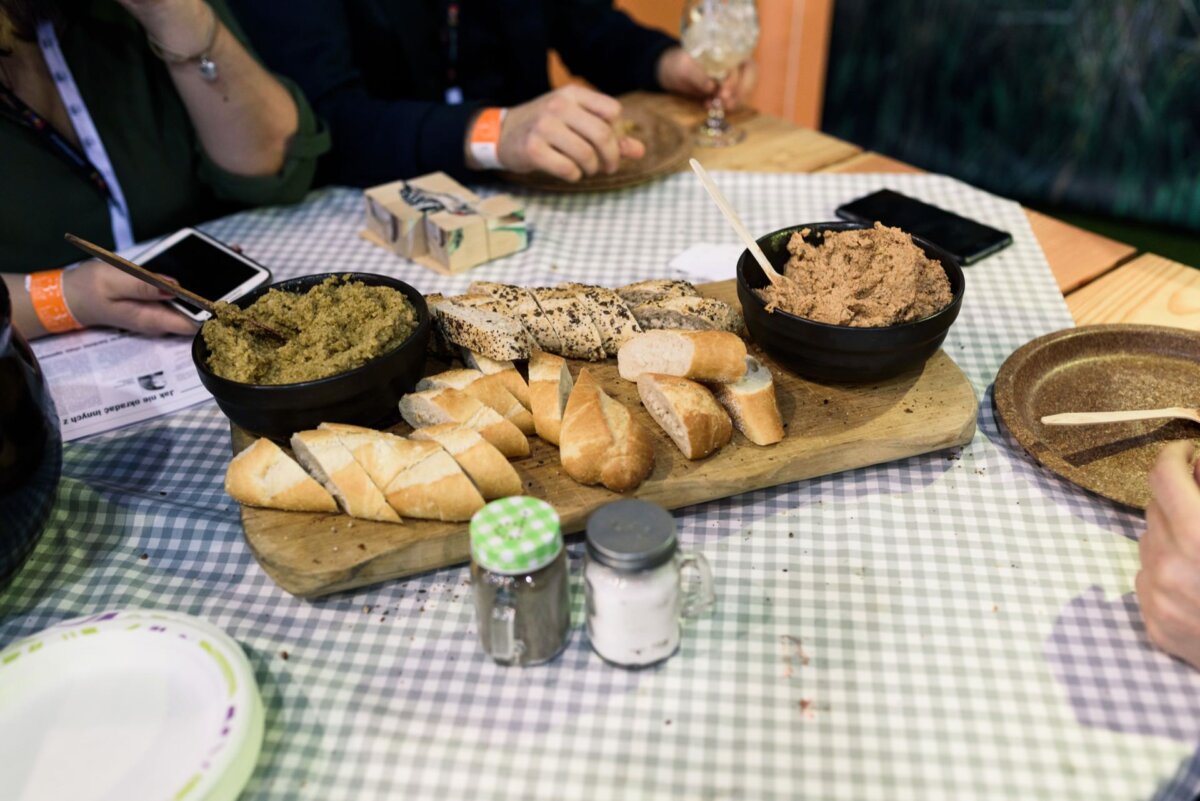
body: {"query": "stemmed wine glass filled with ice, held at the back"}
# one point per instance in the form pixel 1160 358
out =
pixel 719 35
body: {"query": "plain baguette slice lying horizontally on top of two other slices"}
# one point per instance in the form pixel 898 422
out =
pixel 699 356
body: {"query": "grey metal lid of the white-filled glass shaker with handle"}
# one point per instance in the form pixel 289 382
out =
pixel 632 535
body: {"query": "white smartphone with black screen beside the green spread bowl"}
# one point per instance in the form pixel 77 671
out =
pixel 207 267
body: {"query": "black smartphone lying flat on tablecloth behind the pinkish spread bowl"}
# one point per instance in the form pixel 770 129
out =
pixel 964 239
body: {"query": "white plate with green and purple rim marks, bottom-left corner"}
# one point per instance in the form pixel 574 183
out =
pixel 128 706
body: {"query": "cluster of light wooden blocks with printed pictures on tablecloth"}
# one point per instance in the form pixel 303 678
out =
pixel 442 225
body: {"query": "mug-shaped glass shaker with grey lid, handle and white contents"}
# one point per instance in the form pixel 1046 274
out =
pixel 634 581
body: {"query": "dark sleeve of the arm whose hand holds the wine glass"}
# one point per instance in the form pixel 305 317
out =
pixel 604 46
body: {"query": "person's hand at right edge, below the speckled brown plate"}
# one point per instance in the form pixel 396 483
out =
pixel 1169 582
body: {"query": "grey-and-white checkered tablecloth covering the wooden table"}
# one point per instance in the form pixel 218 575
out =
pixel 951 627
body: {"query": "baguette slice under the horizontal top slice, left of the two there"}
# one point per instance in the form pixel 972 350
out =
pixel 687 412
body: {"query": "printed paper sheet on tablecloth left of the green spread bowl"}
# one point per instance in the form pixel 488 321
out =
pixel 104 380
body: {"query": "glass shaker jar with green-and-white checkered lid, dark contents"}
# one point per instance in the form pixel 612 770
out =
pixel 521 581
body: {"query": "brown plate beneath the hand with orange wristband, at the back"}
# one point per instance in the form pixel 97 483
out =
pixel 668 147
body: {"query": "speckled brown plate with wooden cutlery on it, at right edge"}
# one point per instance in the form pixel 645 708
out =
pixel 1101 369
